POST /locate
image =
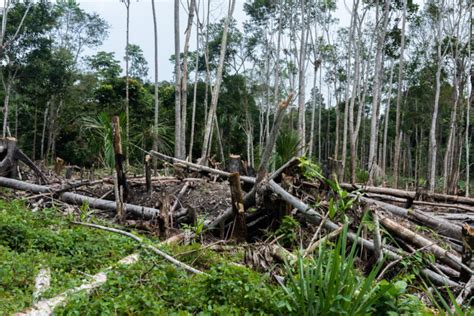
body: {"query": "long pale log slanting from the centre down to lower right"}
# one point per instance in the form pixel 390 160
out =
pixel 312 216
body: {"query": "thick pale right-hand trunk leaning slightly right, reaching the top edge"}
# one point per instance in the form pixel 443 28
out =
pixel 377 89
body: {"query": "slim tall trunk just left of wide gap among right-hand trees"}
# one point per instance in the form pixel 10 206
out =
pixel 398 132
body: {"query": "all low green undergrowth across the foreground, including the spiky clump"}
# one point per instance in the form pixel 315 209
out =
pixel 329 282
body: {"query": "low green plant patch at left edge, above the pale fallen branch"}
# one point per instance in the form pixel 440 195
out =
pixel 29 241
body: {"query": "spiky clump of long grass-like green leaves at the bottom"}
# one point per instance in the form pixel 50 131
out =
pixel 329 284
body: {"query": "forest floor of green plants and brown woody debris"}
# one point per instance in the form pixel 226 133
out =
pixel 50 263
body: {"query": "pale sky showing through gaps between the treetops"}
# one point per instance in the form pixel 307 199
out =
pixel 141 27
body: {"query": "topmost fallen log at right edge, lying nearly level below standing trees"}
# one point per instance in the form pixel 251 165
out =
pixel 410 194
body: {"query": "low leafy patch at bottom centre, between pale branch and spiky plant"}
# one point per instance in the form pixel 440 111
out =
pixel 153 287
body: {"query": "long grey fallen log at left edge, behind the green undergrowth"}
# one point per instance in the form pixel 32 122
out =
pixel 78 199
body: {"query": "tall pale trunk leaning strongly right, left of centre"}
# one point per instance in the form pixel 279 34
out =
pixel 217 85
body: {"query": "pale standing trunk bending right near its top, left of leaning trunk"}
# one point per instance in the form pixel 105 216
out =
pixel 184 83
